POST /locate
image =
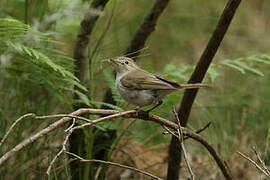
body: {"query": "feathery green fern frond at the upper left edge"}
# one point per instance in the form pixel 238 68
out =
pixel 30 56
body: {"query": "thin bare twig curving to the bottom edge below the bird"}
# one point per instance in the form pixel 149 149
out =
pixel 115 164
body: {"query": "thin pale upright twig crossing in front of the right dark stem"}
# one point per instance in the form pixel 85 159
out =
pixel 181 141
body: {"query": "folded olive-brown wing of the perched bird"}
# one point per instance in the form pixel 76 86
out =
pixel 141 80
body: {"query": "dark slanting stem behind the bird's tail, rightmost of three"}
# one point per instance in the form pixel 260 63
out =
pixel 197 77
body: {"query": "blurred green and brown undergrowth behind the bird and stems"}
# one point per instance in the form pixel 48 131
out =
pixel 37 44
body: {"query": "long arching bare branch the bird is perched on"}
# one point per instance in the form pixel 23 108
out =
pixel 112 114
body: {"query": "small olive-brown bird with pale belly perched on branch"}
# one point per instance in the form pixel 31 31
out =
pixel 142 88
